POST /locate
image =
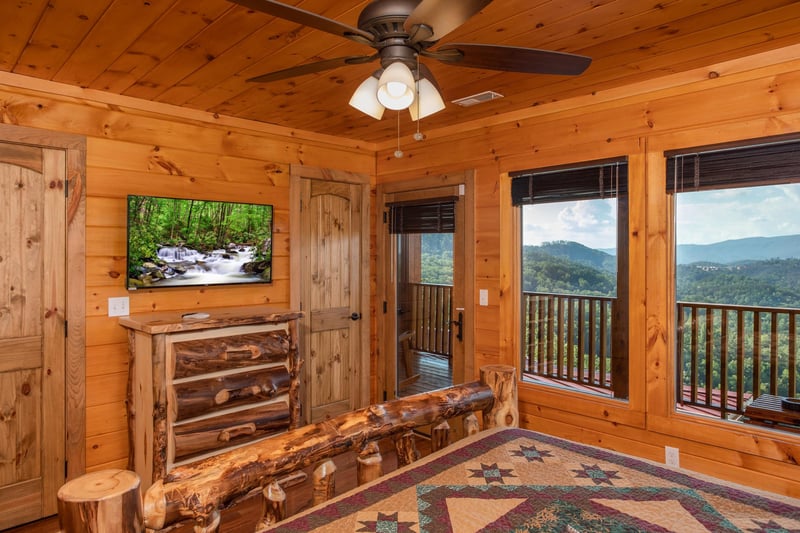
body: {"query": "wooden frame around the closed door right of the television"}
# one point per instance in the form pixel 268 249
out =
pixel 297 173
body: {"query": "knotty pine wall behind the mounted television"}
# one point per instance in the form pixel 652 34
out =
pixel 134 147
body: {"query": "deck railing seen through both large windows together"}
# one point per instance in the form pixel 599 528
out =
pixel 719 367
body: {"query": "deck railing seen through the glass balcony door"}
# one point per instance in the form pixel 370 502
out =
pixel 431 317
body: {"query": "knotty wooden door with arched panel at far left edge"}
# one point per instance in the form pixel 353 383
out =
pixel 32 331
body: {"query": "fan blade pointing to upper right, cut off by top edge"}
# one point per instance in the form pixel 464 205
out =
pixel 433 19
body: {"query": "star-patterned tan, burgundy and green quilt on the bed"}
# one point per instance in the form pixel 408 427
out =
pixel 519 480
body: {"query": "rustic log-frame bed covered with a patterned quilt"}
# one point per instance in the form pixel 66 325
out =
pixel 501 479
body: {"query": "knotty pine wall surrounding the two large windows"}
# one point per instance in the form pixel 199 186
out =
pixel 747 98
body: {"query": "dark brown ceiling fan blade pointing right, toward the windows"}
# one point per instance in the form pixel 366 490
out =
pixel 511 59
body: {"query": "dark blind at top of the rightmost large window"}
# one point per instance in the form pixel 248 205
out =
pixel 741 166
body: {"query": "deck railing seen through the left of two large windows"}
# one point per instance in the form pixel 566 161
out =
pixel 568 338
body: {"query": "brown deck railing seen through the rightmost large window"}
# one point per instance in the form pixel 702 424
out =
pixel 727 354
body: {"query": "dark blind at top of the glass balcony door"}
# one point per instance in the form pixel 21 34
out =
pixel 436 215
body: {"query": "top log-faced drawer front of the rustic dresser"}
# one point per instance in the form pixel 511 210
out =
pixel 203 356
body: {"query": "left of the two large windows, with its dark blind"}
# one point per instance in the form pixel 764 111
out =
pixel 574 286
